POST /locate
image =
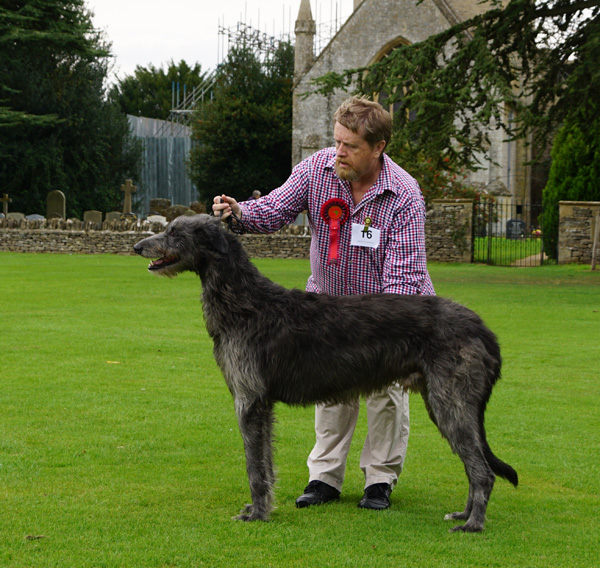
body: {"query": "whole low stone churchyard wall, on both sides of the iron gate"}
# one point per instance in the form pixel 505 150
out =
pixel 448 233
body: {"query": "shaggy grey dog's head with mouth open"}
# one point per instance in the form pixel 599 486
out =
pixel 184 244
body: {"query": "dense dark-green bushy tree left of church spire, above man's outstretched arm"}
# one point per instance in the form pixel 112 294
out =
pixel 243 136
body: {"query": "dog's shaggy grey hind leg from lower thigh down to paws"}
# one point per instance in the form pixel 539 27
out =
pixel 458 422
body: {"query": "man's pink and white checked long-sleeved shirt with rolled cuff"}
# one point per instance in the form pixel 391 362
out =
pixel 394 204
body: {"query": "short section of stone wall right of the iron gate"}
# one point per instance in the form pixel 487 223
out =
pixel 577 224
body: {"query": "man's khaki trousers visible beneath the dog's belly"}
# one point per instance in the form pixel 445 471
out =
pixel 384 449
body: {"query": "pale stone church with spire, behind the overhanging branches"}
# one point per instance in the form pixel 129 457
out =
pixel 374 28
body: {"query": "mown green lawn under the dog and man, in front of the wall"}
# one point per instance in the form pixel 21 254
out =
pixel 119 445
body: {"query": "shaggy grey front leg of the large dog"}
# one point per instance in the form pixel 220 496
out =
pixel 256 425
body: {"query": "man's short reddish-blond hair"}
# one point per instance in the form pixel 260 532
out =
pixel 365 117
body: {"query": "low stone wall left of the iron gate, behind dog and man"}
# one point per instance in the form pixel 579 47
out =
pixel 448 236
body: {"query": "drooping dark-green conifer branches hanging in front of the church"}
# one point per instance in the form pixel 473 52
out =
pixel 538 57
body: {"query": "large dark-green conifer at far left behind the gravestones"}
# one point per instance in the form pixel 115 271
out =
pixel 57 130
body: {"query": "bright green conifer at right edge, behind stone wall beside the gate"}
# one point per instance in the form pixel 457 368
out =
pixel 575 171
